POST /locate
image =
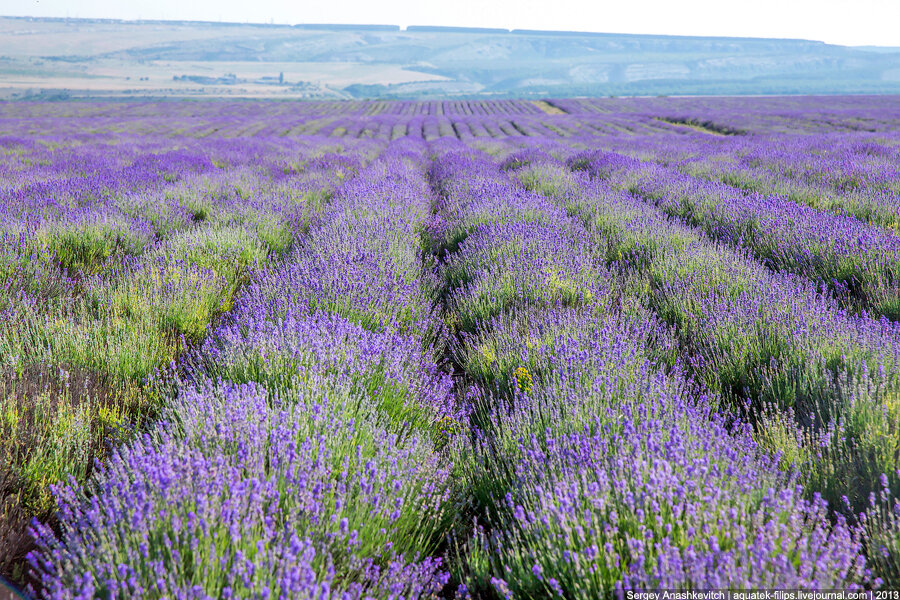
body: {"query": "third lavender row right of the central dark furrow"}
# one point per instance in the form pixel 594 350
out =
pixel 850 256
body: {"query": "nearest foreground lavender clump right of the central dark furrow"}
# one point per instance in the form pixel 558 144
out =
pixel 657 500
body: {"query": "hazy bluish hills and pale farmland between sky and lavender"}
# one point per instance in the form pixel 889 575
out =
pixel 94 58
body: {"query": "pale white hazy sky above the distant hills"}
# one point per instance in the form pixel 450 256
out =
pixel 851 22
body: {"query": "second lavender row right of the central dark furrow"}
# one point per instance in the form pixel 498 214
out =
pixel 819 383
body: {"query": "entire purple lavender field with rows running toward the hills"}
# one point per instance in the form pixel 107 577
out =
pixel 492 349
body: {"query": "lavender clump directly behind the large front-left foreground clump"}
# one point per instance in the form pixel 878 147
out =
pixel 300 347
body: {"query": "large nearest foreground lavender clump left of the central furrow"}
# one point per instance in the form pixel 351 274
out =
pixel 242 494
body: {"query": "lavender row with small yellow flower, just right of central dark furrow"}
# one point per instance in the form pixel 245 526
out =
pixel 592 467
